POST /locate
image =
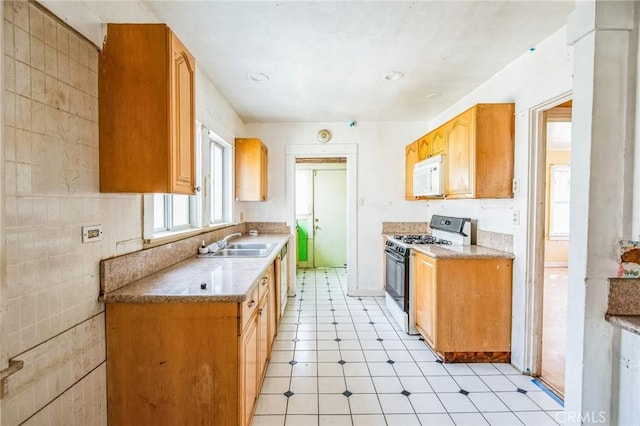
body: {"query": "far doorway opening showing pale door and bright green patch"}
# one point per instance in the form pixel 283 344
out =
pixel 321 212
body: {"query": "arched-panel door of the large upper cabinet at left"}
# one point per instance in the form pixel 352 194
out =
pixel 182 118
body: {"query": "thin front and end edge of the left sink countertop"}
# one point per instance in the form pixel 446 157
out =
pixel 114 297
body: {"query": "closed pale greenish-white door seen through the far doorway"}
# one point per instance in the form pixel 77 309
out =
pixel 330 218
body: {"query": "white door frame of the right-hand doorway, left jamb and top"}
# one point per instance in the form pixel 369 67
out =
pixel 536 210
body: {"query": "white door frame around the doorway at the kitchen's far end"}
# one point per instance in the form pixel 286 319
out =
pixel 350 152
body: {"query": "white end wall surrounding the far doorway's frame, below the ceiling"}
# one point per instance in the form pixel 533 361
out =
pixel 380 184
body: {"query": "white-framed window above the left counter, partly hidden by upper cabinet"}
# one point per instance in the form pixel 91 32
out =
pixel 168 214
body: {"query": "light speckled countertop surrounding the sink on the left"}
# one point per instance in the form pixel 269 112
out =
pixel 227 279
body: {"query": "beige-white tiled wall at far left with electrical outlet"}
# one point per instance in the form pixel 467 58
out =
pixel 50 137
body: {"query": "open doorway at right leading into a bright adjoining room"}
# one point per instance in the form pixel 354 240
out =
pixel 550 235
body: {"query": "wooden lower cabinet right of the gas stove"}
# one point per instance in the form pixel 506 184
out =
pixel 463 307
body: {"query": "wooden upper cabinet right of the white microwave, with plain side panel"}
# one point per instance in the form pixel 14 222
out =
pixel 480 150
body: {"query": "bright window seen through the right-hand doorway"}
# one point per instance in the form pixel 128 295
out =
pixel 559 197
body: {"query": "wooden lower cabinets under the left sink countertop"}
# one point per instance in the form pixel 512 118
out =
pixel 188 363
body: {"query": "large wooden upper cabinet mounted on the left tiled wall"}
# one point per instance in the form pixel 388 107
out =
pixel 146 98
